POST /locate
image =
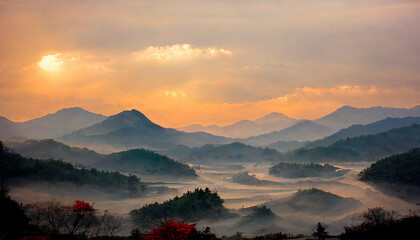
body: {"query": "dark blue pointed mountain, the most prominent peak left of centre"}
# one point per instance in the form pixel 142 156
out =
pixel 132 129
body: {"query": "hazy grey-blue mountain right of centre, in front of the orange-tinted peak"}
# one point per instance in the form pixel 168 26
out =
pixel 302 131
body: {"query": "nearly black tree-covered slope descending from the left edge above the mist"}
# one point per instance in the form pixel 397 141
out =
pixel 14 166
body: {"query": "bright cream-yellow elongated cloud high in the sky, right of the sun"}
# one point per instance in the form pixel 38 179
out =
pixel 179 52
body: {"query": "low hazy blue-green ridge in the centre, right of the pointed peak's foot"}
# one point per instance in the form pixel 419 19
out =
pixel 232 152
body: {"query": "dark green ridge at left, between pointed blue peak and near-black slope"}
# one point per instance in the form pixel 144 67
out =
pixel 139 161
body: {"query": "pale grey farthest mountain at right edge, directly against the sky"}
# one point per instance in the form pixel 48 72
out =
pixel 347 116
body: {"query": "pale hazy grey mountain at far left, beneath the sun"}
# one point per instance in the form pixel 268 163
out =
pixel 50 126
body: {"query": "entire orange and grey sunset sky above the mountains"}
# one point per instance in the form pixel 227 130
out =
pixel 207 61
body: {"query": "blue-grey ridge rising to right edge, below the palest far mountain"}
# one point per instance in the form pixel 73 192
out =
pixel 358 130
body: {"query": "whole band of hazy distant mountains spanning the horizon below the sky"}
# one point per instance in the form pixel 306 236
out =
pixel 132 129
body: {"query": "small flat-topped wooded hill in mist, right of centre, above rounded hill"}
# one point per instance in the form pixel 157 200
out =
pixel 296 170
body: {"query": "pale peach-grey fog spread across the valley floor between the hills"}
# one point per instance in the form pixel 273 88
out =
pixel 237 197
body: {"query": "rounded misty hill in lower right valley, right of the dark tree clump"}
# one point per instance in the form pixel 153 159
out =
pixel 314 201
